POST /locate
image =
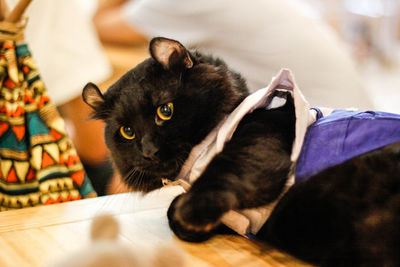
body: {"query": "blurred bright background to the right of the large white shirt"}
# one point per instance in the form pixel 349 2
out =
pixel 371 33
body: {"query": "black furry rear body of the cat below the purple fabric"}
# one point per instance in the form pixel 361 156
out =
pixel 347 215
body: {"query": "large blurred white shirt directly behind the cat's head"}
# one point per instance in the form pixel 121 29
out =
pixel 258 38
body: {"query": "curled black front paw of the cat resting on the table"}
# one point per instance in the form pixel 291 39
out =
pixel 192 219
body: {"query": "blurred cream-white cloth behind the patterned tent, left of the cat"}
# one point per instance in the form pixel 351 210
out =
pixel 64 44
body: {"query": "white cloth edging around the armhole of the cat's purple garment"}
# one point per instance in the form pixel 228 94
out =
pixel 250 220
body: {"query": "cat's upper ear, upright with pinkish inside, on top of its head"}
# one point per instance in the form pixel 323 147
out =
pixel 170 54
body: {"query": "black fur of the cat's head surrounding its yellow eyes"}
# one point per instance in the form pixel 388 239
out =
pixel 201 95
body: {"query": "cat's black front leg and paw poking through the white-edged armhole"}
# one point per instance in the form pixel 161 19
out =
pixel 250 172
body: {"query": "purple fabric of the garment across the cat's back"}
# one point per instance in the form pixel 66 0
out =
pixel 343 135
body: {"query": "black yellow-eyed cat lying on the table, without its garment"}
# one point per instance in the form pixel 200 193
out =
pixel 157 112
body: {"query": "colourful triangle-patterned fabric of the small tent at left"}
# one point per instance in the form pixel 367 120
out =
pixel 38 163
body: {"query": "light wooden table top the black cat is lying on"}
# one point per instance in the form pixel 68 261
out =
pixel 36 236
